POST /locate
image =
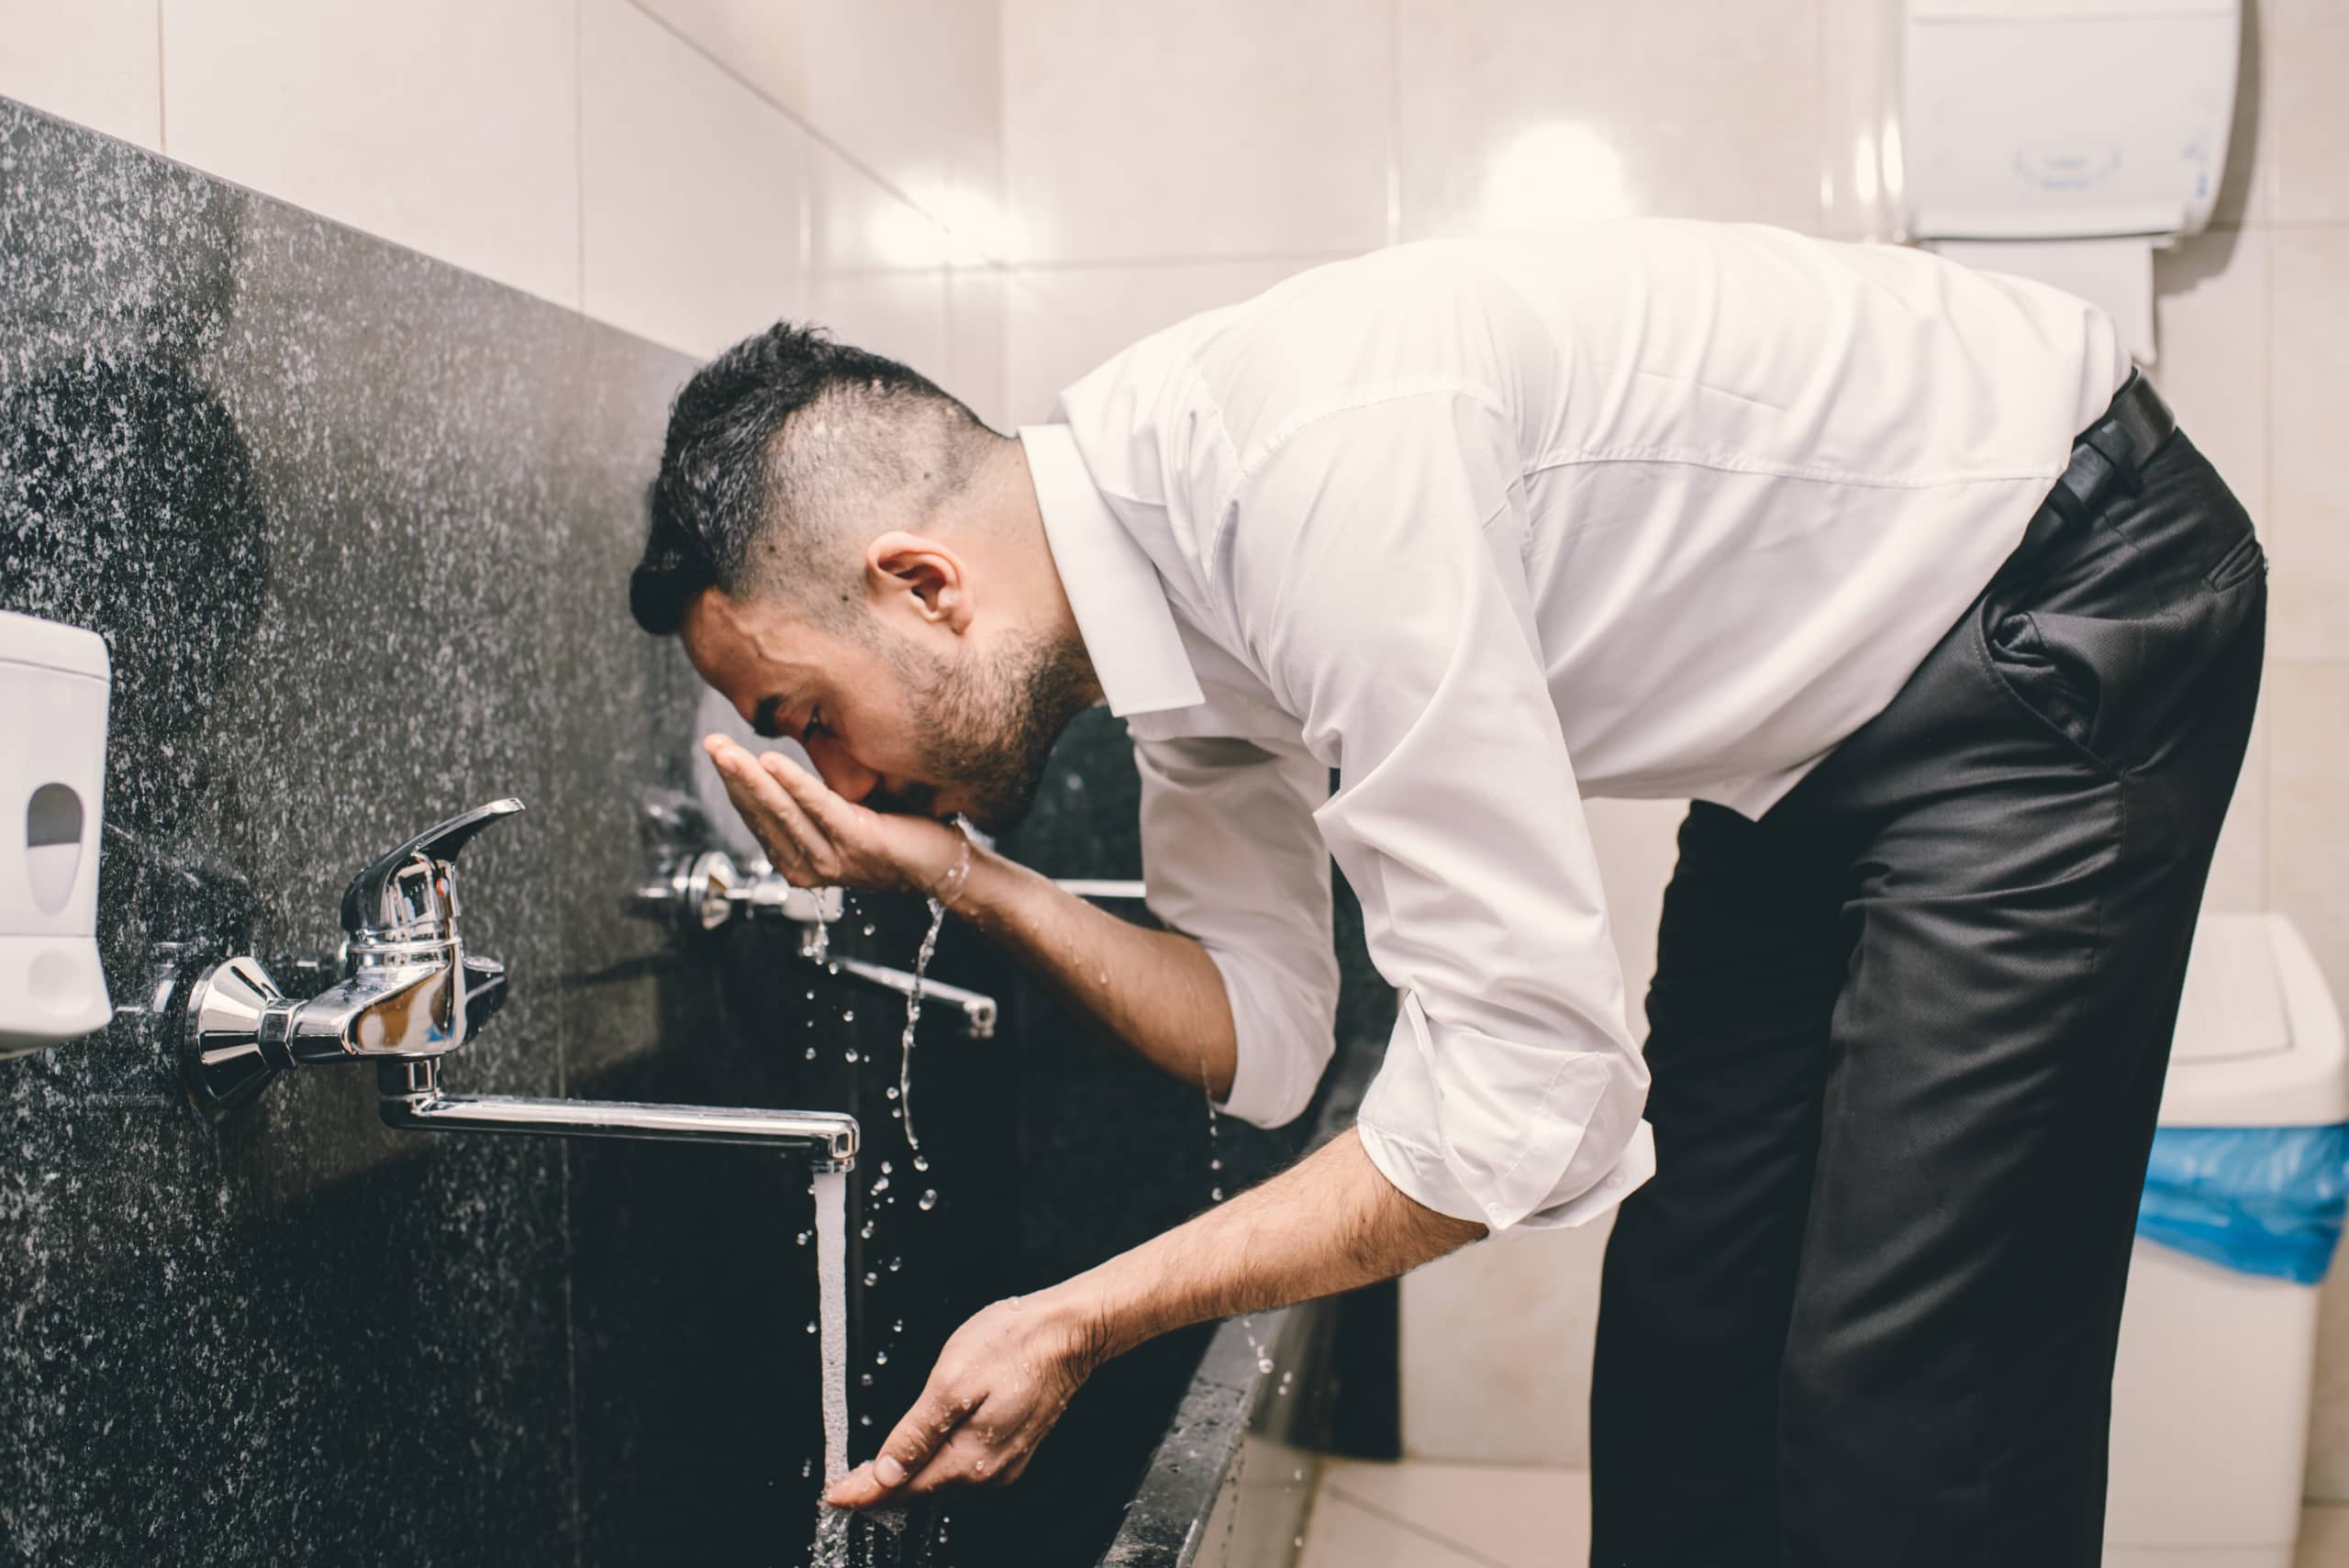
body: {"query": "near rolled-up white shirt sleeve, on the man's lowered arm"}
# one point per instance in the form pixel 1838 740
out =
pixel 1373 574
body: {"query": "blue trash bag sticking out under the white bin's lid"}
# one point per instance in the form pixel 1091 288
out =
pixel 2261 1201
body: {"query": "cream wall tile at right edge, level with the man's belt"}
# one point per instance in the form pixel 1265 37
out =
pixel 2308 508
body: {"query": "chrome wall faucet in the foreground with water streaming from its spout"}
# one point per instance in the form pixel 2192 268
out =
pixel 410 996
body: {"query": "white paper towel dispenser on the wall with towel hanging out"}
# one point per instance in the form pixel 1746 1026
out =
pixel 2075 135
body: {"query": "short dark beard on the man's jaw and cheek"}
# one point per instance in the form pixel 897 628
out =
pixel 990 726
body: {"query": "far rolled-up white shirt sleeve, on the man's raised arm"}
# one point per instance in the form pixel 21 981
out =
pixel 1232 858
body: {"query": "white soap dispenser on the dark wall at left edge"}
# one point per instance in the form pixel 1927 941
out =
pixel 53 773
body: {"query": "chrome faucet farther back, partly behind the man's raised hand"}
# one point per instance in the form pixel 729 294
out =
pixel 696 888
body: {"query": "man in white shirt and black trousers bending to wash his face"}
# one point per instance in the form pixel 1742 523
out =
pixel 1796 529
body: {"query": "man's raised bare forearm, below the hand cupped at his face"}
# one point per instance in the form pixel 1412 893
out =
pixel 1155 992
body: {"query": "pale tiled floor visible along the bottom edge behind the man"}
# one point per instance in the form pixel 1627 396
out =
pixel 1425 1515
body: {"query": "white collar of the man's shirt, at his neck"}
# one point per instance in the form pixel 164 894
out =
pixel 1122 607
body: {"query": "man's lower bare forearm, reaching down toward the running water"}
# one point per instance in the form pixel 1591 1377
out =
pixel 1328 1224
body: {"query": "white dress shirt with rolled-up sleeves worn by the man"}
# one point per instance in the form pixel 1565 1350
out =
pixel 1634 511
